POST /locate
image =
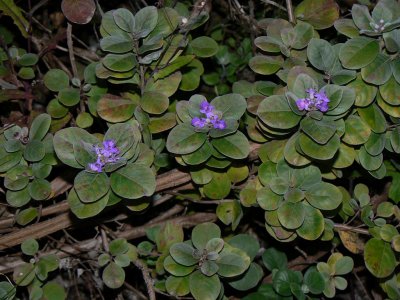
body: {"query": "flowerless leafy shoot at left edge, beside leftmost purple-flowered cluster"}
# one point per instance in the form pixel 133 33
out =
pixel 27 158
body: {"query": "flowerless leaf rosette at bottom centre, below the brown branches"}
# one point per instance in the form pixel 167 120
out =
pixel 198 265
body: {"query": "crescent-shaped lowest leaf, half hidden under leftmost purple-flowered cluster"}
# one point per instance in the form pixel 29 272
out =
pixel 86 210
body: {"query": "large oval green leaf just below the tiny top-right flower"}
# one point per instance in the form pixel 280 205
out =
pixel 358 52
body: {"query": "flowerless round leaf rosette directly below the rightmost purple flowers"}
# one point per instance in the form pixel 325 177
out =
pixel 293 200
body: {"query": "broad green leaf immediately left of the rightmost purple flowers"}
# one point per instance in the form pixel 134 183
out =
pixel 275 112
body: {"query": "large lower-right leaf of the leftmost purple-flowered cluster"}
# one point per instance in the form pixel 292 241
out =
pixel 133 181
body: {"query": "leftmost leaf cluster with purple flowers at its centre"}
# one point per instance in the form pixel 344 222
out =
pixel 120 154
